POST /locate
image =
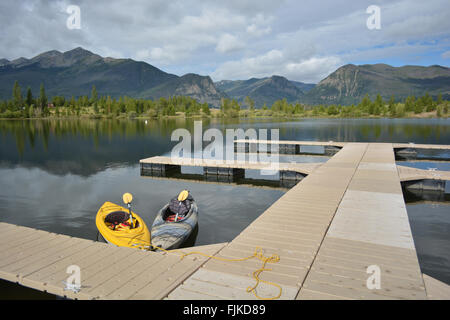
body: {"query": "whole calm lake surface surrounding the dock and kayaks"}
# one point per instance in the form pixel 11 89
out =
pixel 54 175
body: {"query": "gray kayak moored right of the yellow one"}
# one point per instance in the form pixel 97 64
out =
pixel 170 234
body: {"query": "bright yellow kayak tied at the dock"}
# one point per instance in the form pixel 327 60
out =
pixel 114 224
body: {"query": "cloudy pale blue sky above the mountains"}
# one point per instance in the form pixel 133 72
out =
pixel 234 39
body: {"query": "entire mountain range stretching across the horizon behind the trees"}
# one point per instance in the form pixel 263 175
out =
pixel 75 72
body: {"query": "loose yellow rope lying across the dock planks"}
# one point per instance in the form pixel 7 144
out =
pixel 257 254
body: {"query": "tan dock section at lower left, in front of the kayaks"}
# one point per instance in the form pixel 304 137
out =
pixel 39 259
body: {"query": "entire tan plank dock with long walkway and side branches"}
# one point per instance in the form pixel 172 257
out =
pixel 333 231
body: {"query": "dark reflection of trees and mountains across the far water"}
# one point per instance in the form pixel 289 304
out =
pixel 85 146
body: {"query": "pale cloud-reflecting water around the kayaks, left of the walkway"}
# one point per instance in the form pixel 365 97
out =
pixel 68 204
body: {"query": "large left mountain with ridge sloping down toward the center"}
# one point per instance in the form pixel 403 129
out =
pixel 75 72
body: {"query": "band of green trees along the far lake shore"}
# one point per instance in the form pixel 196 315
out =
pixel 28 106
